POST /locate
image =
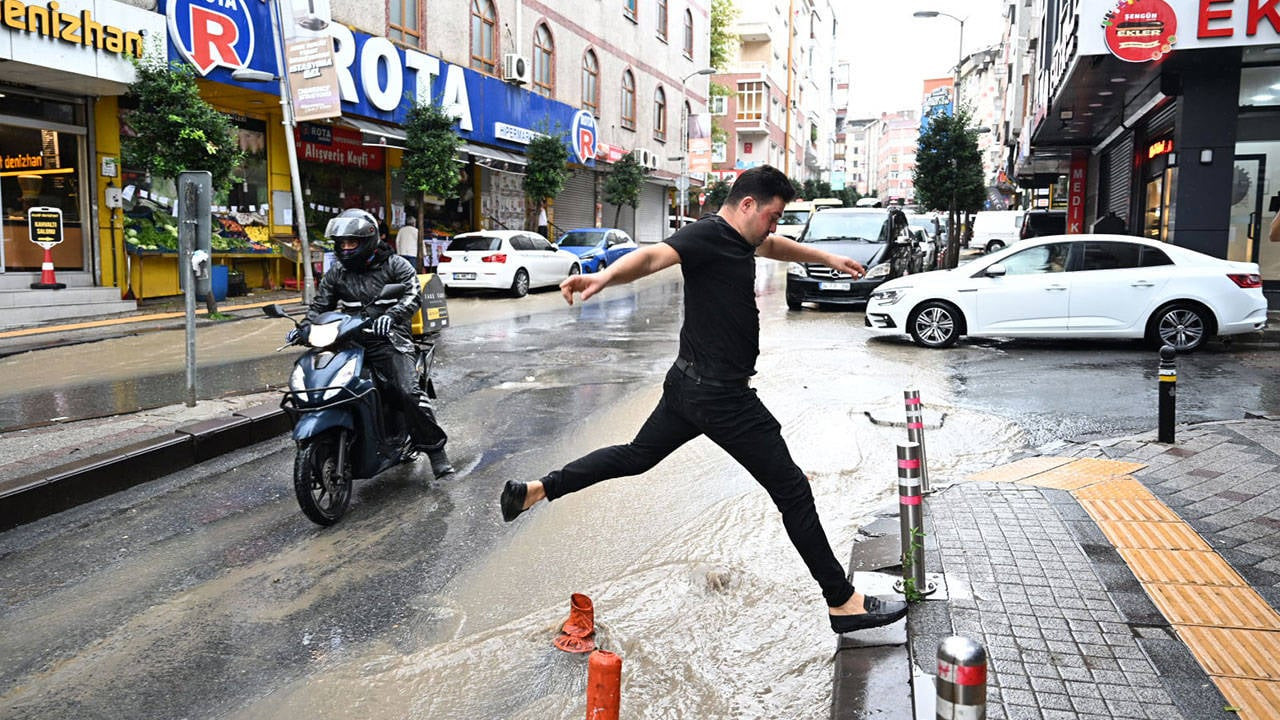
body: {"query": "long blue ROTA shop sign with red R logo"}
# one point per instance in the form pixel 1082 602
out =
pixel 377 79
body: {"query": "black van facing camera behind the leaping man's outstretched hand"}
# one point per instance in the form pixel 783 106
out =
pixel 877 238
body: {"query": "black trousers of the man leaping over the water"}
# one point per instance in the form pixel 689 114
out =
pixel 735 420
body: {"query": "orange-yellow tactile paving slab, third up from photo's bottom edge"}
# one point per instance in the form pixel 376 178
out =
pixel 1214 607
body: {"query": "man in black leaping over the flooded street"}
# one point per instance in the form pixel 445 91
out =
pixel 707 391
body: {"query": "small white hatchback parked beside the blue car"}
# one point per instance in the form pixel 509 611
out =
pixel 511 261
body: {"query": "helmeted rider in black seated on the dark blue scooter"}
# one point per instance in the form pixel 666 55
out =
pixel 365 266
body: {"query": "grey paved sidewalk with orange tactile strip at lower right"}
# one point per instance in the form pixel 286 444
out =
pixel 1122 578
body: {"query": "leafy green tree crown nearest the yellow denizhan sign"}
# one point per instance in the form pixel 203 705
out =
pixel 175 129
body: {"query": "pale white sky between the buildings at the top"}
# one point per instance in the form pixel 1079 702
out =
pixel 893 53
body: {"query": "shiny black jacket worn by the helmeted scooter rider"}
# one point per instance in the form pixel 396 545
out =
pixel 348 291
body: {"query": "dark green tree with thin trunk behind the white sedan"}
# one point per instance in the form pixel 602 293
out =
pixel 949 172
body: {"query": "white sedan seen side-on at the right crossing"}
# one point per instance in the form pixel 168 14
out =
pixel 1103 286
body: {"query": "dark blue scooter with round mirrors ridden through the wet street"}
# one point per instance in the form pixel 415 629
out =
pixel 341 425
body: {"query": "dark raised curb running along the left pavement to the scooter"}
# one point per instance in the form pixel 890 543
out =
pixel 39 495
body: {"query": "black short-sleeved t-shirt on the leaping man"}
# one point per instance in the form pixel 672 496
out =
pixel 721 335
